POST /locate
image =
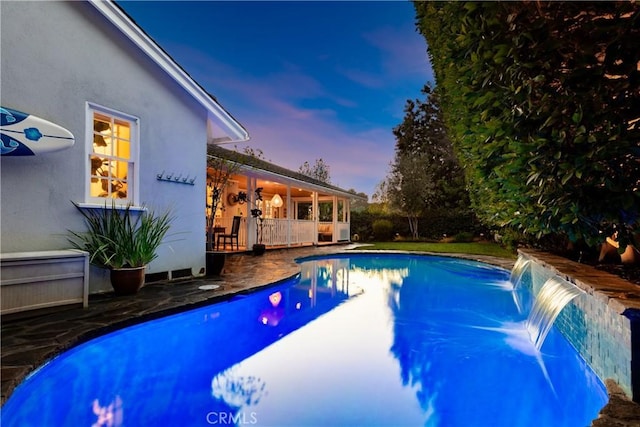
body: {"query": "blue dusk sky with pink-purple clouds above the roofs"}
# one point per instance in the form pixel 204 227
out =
pixel 308 80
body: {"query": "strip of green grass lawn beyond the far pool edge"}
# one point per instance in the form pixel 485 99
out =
pixel 476 248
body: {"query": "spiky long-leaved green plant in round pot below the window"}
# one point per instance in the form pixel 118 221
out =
pixel 122 241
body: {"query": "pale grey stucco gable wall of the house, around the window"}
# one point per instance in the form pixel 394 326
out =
pixel 56 57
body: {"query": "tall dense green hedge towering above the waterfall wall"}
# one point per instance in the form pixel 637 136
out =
pixel 542 102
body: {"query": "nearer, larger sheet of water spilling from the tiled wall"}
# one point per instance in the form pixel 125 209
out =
pixel 554 295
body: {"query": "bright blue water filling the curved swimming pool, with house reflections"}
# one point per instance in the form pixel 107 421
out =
pixel 358 340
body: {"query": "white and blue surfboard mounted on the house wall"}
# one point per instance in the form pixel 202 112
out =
pixel 23 134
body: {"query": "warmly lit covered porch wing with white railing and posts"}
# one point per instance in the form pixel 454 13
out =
pixel 297 210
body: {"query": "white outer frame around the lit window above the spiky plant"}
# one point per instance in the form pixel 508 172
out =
pixel 133 176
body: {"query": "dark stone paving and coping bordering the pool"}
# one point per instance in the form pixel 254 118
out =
pixel 27 343
